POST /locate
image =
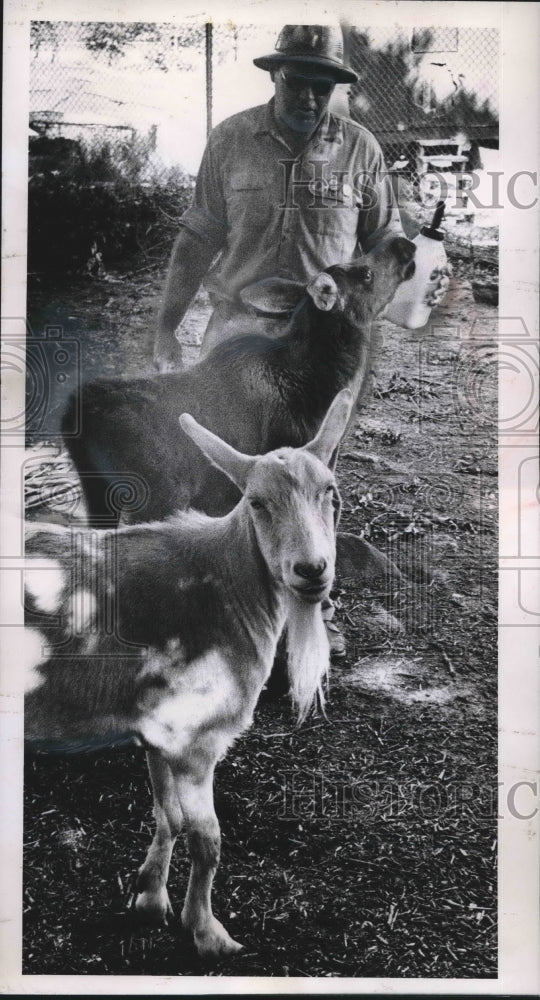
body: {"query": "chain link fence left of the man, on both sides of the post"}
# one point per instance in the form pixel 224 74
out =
pixel 138 98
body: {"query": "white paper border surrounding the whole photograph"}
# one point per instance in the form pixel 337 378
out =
pixel 519 701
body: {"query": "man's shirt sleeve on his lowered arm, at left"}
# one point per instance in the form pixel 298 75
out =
pixel 206 215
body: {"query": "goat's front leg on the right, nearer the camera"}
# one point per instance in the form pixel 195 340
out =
pixel 203 837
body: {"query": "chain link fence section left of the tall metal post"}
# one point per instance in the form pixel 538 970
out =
pixel 107 96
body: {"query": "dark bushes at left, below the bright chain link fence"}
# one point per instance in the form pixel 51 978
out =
pixel 113 199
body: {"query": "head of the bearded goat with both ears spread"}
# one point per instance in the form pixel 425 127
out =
pixel 290 499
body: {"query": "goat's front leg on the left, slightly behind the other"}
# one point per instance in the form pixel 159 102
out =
pixel 153 901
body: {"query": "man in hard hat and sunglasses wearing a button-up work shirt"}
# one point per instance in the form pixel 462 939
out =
pixel 284 189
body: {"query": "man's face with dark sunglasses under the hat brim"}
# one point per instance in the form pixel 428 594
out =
pixel 303 93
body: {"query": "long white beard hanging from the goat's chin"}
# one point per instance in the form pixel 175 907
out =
pixel 308 654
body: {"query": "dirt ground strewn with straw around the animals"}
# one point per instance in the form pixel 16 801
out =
pixel 363 844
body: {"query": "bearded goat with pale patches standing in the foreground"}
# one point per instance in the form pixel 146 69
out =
pixel 199 604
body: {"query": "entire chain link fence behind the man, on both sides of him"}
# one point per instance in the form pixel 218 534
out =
pixel 142 88
